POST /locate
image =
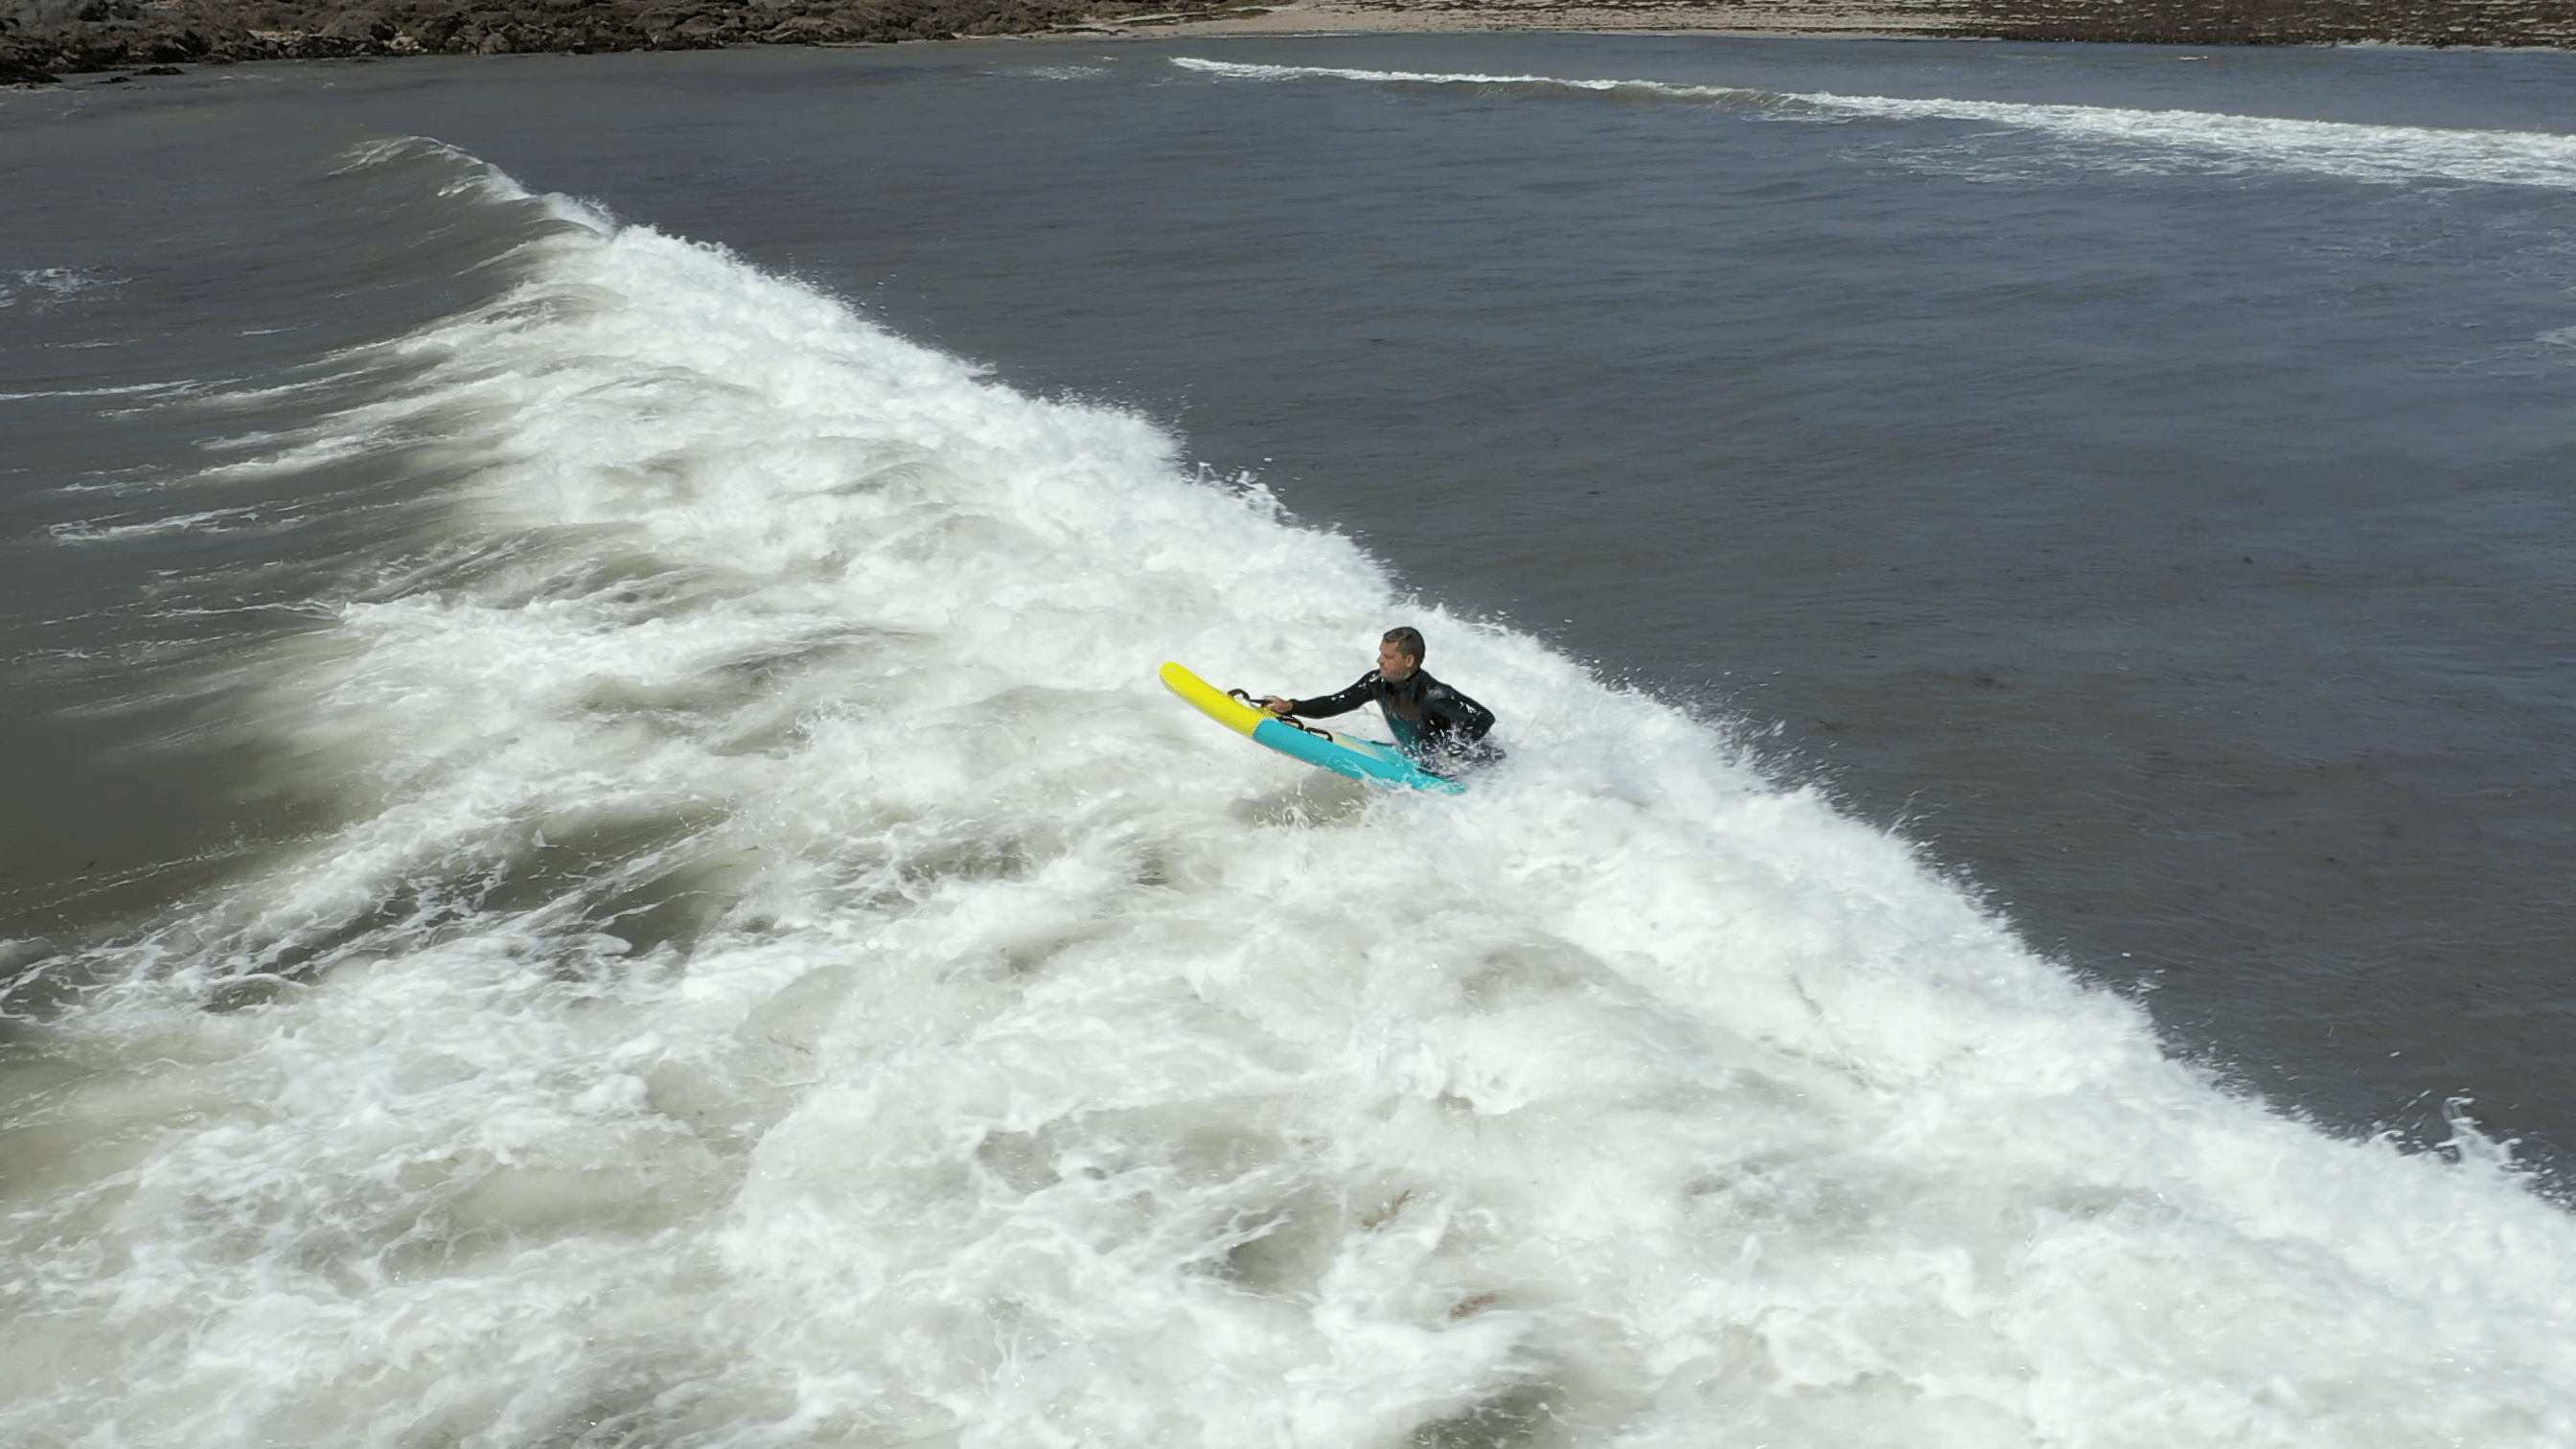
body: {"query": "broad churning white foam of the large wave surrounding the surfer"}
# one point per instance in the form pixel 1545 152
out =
pixel 782 971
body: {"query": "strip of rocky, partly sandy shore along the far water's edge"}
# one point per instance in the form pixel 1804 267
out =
pixel 45 40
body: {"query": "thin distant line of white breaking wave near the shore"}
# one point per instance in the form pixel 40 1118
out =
pixel 2330 148
